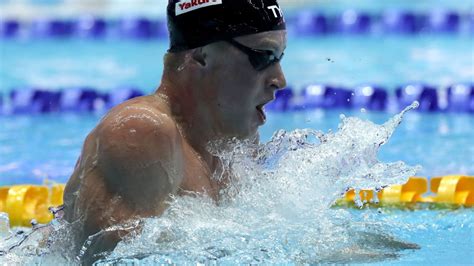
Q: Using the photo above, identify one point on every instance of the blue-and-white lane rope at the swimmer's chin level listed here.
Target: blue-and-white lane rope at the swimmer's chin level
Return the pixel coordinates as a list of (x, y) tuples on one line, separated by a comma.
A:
[(455, 98)]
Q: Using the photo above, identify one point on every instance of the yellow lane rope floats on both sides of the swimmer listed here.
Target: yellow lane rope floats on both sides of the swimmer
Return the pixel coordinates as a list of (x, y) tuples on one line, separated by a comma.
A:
[(23, 203)]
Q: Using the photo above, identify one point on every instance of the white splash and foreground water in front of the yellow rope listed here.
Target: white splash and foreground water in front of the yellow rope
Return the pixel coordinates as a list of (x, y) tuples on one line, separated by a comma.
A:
[(286, 204)]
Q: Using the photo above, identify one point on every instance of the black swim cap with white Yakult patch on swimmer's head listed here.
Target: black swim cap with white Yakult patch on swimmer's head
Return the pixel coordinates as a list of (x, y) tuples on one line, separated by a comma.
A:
[(195, 23)]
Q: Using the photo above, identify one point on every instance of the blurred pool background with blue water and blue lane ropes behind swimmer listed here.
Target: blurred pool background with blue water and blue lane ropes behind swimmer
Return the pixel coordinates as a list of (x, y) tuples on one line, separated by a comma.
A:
[(64, 63)]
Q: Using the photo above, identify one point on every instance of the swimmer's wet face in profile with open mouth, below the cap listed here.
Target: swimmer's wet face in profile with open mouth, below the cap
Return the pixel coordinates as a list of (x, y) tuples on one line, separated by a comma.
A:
[(237, 91)]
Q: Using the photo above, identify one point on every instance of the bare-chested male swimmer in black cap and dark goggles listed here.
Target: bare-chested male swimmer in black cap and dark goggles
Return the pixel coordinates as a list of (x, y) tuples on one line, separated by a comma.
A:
[(222, 67)]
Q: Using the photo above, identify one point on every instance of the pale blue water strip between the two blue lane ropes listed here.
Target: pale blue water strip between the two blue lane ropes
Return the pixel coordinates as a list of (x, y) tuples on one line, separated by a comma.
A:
[(439, 60)]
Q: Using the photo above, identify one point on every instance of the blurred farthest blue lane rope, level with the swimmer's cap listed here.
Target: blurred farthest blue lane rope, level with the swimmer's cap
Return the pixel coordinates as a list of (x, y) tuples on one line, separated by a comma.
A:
[(303, 23)]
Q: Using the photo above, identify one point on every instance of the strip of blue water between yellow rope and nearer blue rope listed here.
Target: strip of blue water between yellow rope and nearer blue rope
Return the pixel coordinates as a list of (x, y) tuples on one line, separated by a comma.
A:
[(46, 146)]
